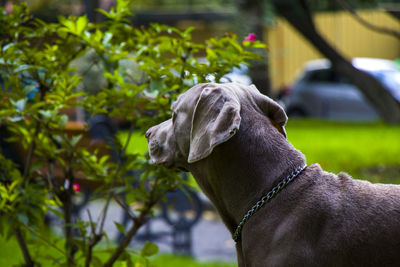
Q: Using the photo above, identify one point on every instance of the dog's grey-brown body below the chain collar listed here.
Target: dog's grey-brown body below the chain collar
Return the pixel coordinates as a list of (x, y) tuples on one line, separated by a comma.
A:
[(327, 220)]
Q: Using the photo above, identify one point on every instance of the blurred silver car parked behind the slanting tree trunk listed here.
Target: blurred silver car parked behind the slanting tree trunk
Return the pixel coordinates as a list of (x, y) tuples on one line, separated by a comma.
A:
[(320, 92)]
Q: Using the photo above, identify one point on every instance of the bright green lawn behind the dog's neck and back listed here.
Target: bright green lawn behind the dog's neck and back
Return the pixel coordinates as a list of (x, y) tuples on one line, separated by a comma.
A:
[(365, 150)]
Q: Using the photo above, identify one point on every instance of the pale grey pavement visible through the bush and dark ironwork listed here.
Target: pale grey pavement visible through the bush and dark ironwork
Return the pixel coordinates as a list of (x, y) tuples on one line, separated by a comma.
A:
[(210, 239)]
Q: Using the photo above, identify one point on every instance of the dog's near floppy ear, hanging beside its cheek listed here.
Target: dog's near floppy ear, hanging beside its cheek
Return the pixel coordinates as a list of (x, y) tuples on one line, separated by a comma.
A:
[(216, 118)]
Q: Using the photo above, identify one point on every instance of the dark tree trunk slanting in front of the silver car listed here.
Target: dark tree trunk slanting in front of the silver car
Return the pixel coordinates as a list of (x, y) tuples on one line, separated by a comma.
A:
[(297, 13)]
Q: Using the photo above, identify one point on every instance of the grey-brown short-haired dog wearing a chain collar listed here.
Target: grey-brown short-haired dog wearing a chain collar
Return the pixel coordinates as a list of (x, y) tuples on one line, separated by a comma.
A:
[(232, 139)]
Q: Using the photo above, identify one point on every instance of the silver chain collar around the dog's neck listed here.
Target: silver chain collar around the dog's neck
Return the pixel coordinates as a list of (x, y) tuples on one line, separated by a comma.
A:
[(266, 198)]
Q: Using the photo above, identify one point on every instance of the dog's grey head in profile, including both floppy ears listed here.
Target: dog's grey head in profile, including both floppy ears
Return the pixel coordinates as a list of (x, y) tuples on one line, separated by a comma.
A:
[(204, 117)]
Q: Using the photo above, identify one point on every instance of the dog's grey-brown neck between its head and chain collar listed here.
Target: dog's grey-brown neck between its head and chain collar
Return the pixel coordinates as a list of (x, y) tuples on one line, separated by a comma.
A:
[(240, 171)]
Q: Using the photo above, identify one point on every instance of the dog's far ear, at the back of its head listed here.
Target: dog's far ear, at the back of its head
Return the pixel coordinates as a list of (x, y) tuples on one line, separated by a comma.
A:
[(272, 110)]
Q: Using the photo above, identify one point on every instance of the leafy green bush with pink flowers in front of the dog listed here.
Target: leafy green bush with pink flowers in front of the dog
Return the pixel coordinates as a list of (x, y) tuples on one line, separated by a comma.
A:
[(143, 71)]
